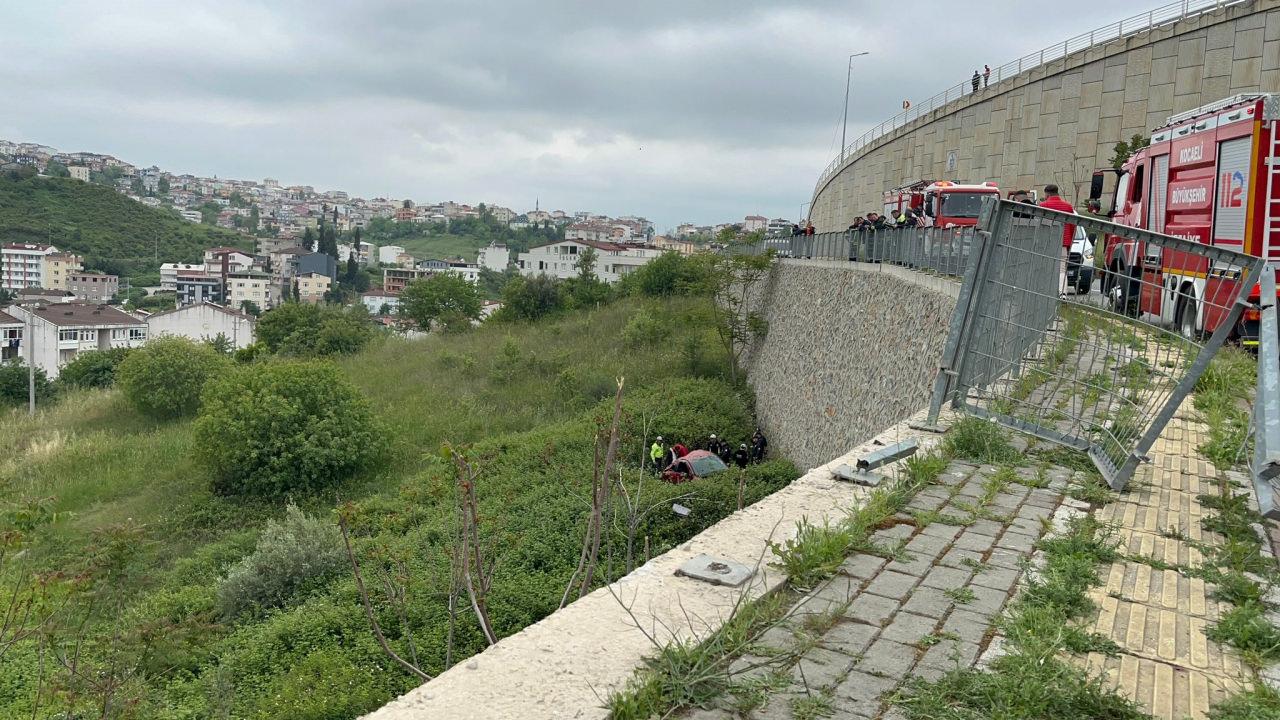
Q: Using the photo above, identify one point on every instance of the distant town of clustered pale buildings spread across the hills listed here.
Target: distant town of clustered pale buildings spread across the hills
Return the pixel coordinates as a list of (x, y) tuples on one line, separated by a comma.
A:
[(52, 298)]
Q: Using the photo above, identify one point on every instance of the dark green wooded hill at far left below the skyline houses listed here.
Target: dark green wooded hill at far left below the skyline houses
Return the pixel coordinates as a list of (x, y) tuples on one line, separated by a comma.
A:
[(112, 233)]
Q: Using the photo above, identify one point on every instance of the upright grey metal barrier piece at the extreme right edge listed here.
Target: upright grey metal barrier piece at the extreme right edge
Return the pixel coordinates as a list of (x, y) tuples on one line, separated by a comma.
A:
[(1267, 407)]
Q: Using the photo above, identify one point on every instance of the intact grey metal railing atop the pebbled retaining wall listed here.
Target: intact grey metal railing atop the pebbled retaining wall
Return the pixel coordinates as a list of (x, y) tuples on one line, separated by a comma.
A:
[(940, 250)]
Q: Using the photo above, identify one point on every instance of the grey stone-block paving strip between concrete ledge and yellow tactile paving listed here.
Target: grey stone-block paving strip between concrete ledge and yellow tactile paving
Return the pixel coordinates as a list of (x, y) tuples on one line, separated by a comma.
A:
[(920, 613)]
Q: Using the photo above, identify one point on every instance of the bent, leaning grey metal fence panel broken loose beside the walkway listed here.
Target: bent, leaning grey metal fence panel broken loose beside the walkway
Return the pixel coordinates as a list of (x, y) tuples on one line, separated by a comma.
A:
[(1100, 375)]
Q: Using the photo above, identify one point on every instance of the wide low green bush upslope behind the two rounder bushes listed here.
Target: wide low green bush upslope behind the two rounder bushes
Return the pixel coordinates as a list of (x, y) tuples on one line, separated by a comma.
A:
[(310, 331)]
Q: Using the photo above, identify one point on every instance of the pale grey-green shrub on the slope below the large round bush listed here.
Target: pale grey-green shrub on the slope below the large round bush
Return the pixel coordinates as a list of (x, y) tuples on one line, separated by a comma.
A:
[(294, 555)]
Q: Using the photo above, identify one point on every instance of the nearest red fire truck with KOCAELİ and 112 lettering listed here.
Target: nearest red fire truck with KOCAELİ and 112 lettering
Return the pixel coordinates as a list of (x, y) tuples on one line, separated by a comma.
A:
[(1209, 176)]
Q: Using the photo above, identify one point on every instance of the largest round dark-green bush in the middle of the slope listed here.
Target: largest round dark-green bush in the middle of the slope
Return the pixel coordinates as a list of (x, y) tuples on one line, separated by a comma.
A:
[(286, 426)]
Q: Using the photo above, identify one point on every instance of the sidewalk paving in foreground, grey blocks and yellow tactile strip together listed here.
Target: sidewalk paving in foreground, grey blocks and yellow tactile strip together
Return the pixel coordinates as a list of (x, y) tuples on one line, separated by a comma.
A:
[(883, 622)]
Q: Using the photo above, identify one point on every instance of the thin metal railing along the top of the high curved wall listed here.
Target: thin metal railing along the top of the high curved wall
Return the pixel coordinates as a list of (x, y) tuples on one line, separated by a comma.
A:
[(1159, 17)]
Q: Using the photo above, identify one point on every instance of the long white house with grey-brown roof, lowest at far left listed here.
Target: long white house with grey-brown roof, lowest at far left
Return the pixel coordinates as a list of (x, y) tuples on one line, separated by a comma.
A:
[(62, 332)]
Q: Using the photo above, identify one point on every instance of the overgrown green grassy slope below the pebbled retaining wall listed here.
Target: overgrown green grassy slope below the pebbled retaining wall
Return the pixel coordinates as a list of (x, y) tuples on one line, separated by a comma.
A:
[(528, 399)]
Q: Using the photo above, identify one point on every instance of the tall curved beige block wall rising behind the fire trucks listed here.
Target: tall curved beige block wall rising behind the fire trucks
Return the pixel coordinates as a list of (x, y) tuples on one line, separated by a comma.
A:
[(1060, 122)]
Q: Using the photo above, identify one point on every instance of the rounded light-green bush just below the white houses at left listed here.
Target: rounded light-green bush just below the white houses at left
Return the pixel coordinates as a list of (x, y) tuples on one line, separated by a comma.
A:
[(164, 379)]
